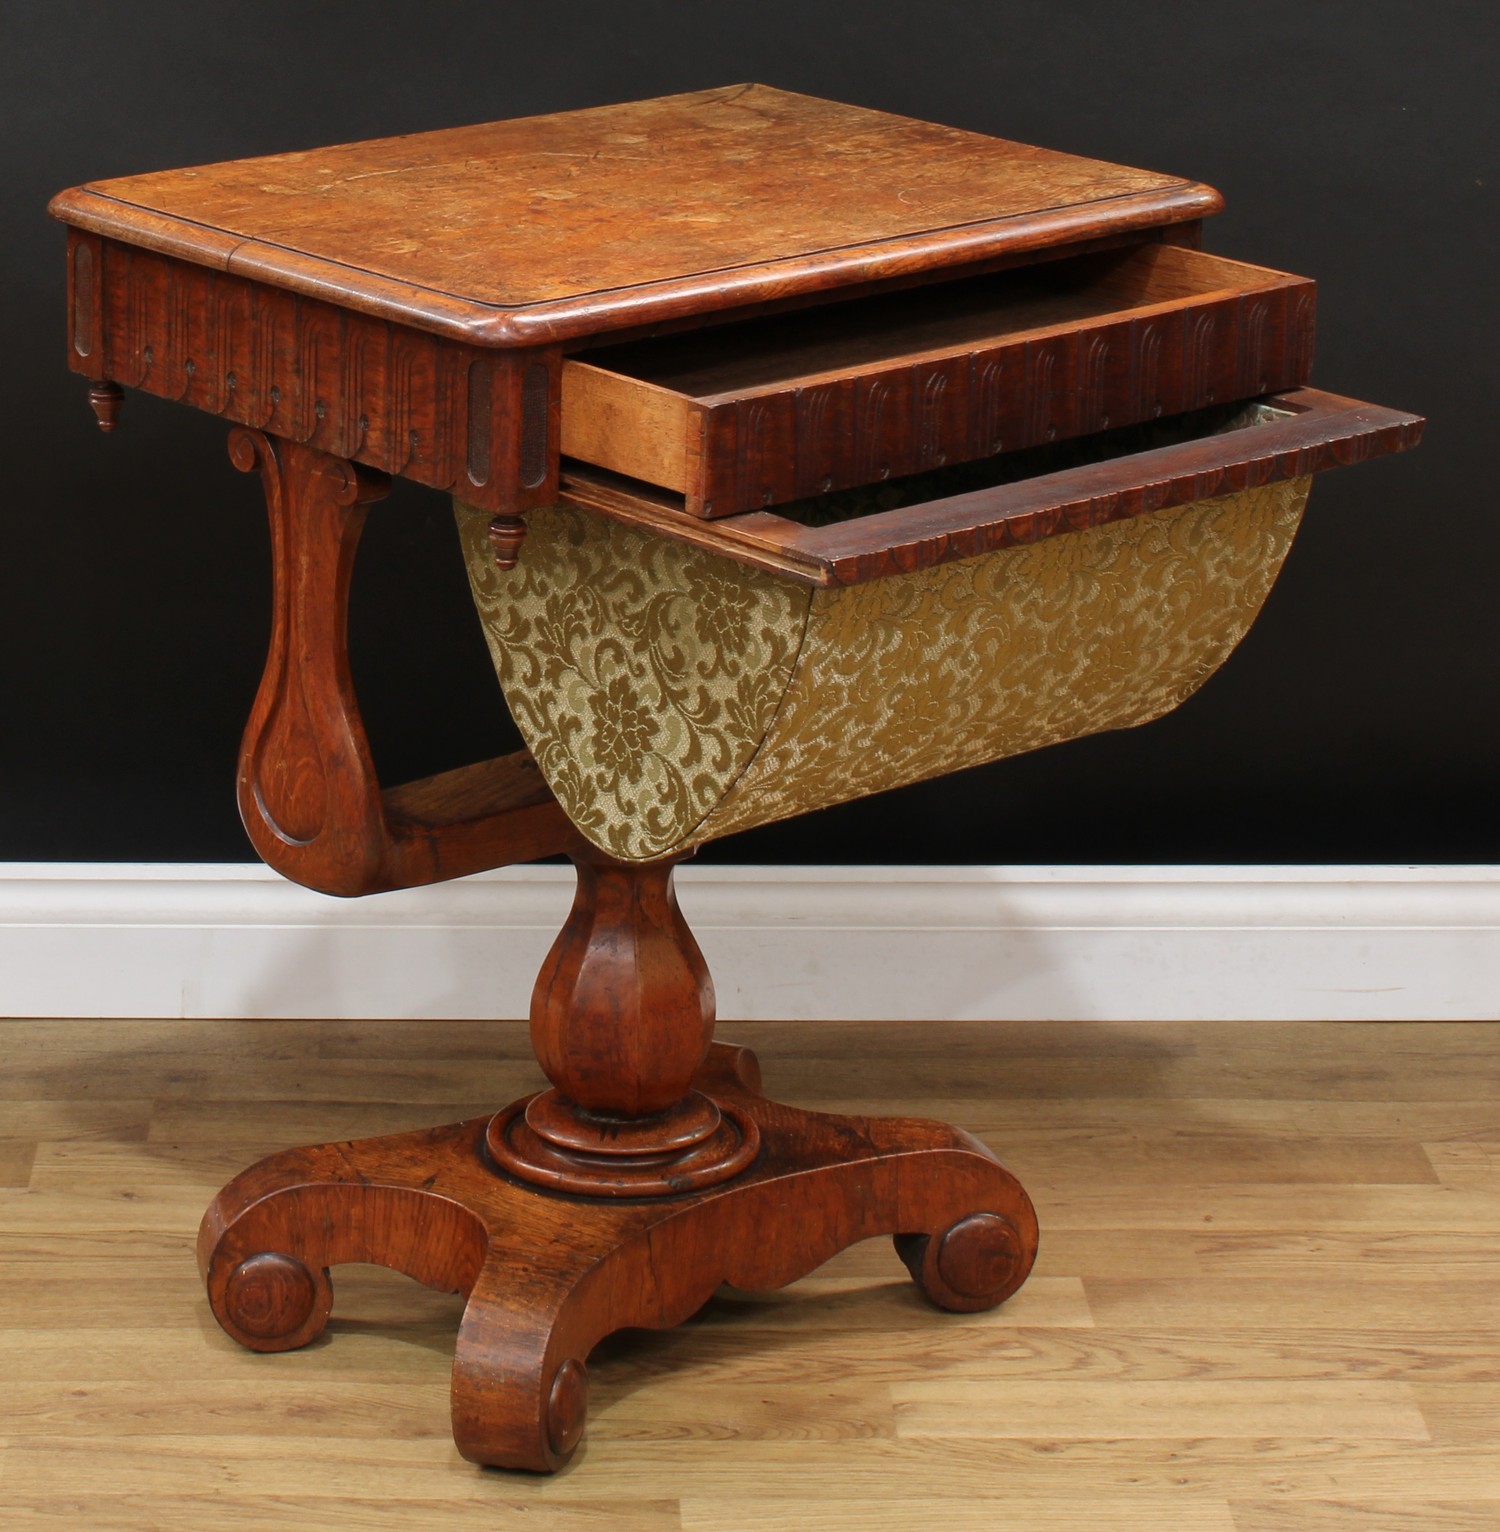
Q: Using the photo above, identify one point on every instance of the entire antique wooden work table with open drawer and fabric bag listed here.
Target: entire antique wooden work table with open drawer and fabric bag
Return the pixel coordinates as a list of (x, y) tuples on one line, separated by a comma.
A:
[(799, 453)]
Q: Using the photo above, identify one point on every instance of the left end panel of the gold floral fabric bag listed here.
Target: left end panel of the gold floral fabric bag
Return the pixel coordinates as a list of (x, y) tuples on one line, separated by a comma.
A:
[(641, 673)]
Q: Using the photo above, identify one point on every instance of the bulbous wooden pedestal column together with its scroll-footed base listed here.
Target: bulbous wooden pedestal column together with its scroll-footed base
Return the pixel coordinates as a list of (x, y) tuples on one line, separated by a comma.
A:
[(474, 1208)]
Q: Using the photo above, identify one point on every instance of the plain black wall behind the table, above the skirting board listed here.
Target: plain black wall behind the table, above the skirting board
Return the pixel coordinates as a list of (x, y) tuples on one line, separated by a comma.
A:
[(1355, 142)]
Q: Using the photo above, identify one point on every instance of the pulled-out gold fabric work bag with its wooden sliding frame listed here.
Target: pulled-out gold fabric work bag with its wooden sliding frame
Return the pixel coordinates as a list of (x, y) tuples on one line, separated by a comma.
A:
[(678, 679)]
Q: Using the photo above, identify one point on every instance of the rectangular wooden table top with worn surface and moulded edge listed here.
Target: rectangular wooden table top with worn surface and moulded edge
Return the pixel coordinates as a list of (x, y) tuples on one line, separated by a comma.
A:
[(552, 228)]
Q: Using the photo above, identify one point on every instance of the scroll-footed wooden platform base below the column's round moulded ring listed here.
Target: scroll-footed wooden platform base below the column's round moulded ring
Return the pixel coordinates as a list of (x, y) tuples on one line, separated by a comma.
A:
[(548, 1274)]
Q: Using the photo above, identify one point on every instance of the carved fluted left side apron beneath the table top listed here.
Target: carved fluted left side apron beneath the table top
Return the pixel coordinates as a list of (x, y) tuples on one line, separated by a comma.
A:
[(384, 394)]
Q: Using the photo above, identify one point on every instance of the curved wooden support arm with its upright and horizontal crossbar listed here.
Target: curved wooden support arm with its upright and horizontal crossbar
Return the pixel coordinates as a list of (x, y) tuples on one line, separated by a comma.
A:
[(309, 791)]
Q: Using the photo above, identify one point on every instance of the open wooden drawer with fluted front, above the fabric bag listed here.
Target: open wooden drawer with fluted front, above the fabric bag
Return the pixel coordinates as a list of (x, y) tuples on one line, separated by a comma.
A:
[(770, 411)]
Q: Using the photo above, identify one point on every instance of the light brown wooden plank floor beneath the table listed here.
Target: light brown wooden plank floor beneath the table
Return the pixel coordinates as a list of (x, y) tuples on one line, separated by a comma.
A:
[(1268, 1298)]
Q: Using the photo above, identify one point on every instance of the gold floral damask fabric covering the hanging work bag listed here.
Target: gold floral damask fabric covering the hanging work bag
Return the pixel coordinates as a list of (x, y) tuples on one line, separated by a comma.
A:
[(672, 696)]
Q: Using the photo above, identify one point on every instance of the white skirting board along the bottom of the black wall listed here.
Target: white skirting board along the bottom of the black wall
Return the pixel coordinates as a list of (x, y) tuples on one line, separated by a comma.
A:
[(784, 943)]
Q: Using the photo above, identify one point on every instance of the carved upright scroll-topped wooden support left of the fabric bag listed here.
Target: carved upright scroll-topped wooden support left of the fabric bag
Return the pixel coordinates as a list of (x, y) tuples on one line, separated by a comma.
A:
[(309, 791)]
